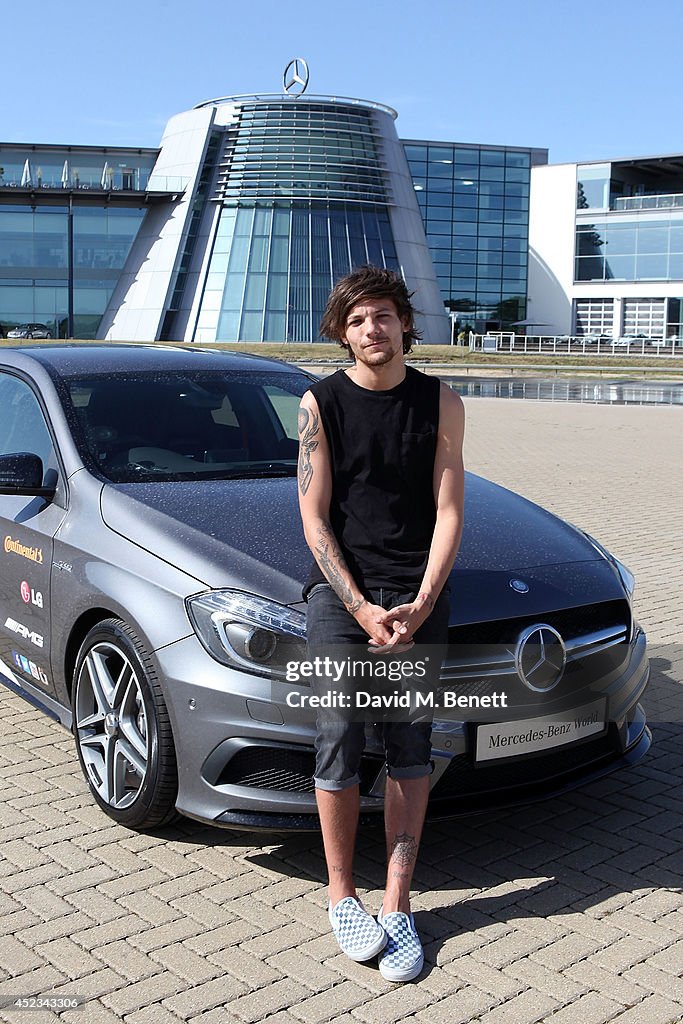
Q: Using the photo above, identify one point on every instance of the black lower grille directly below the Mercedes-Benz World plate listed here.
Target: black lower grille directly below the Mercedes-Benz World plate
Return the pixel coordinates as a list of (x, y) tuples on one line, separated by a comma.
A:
[(464, 778)]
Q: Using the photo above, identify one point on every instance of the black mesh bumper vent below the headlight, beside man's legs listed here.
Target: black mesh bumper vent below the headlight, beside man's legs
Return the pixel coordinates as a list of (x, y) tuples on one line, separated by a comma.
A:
[(286, 770)]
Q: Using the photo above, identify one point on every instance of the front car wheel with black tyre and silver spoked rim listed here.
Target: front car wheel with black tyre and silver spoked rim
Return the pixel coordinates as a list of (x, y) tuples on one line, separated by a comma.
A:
[(122, 729)]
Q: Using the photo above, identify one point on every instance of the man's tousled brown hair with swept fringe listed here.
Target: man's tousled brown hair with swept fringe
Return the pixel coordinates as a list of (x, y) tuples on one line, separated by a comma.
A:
[(368, 283)]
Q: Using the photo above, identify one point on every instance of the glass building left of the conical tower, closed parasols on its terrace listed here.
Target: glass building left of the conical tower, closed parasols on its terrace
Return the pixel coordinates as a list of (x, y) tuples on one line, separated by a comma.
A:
[(68, 219)]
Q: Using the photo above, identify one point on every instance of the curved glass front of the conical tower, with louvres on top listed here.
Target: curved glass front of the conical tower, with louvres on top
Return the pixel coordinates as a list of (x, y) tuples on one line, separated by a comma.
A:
[(304, 200)]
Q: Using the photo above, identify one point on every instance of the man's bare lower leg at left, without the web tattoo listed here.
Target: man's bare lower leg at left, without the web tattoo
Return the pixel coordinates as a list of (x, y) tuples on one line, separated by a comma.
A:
[(339, 821)]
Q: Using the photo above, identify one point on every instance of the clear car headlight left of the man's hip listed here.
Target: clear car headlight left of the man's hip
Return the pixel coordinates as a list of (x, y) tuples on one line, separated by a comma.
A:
[(247, 632)]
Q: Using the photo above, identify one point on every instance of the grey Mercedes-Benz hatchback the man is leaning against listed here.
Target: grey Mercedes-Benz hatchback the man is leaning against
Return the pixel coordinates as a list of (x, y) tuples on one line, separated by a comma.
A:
[(152, 561)]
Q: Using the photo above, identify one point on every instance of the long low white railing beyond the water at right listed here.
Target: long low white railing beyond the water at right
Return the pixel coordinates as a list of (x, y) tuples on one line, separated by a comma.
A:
[(565, 346)]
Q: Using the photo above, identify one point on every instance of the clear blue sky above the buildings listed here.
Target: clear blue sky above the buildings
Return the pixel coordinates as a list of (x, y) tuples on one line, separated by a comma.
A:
[(587, 81)]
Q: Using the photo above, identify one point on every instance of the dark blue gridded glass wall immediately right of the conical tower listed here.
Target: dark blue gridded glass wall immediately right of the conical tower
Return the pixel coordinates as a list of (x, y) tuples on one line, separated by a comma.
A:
[(475, 203)]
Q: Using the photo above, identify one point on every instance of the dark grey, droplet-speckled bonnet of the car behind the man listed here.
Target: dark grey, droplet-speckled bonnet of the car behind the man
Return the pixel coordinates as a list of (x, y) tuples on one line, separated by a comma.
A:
[(247, 534)]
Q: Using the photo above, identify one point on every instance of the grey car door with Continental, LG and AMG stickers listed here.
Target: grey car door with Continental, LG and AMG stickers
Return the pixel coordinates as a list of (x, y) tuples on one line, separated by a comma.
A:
[(27, 528)]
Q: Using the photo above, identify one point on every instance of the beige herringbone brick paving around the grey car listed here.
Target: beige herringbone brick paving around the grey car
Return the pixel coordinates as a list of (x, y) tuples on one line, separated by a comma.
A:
[(567, 913)]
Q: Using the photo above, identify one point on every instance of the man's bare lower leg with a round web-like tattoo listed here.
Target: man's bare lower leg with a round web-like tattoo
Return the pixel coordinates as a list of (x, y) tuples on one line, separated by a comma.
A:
[(405, 806)]
